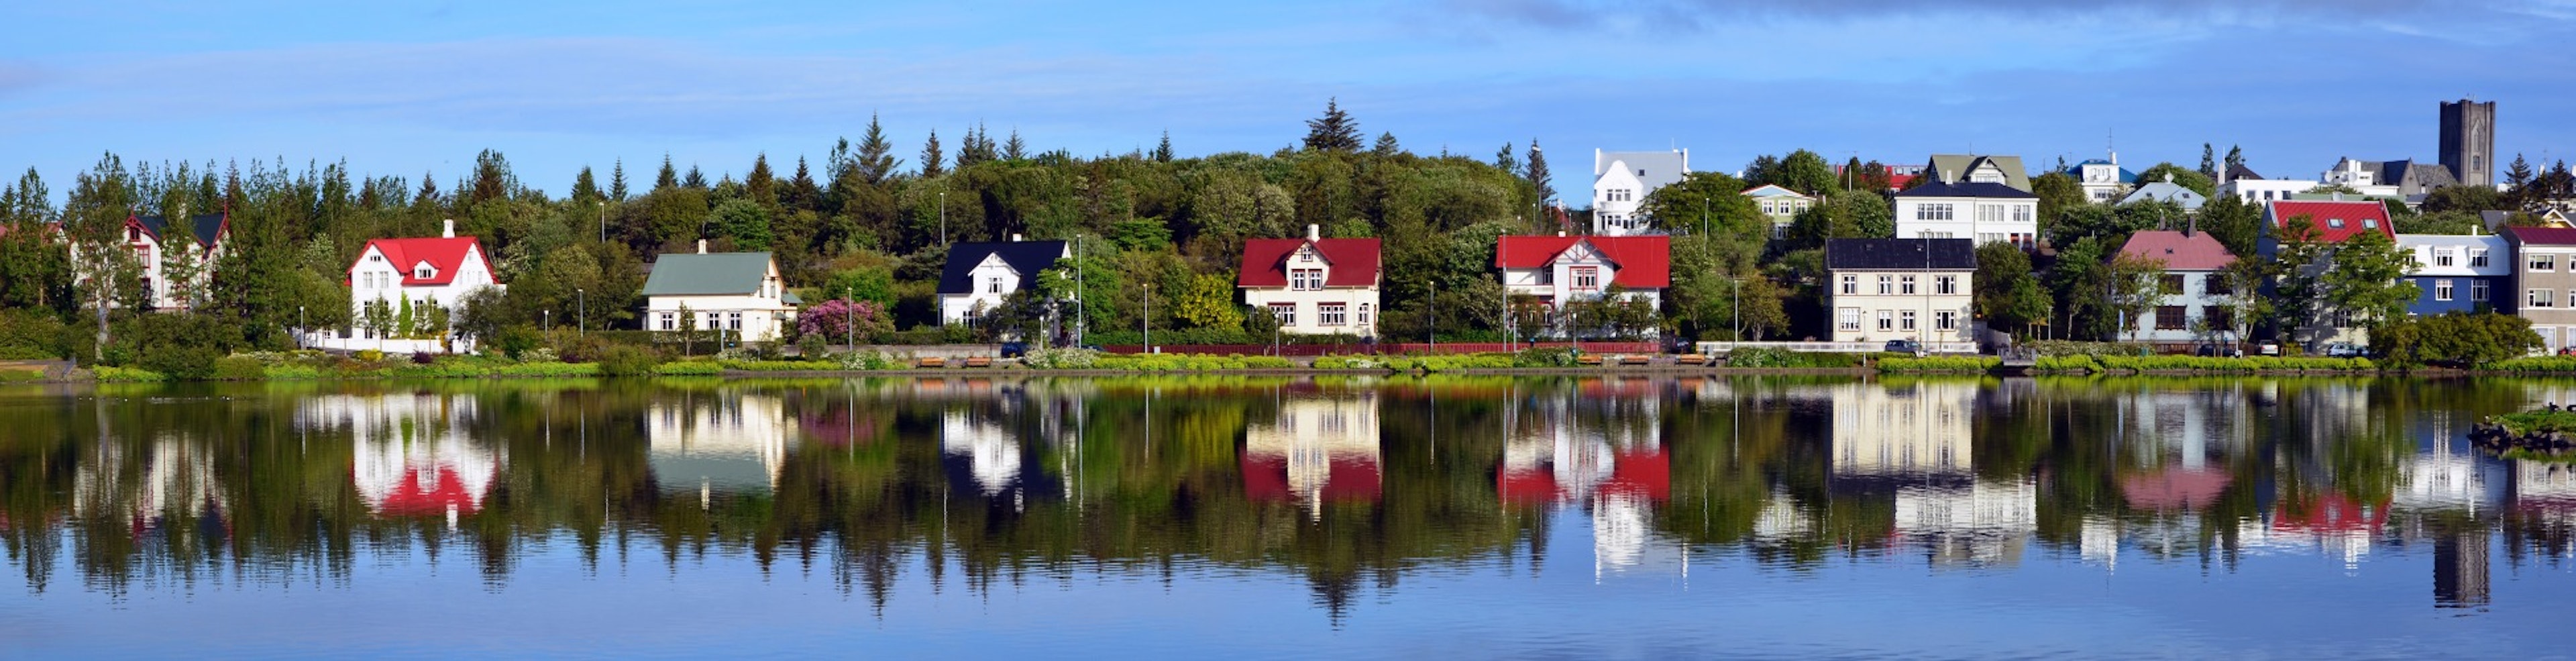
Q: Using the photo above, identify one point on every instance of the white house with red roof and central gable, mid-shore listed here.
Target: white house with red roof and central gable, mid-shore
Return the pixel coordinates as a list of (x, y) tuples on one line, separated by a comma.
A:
[(1315, 287)]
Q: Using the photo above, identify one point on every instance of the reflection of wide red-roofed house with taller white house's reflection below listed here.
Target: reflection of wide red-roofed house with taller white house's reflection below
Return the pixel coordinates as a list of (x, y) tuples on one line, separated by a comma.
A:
[(1601, 446)]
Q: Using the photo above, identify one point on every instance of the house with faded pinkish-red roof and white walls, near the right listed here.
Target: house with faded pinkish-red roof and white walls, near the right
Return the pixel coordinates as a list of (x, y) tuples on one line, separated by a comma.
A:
[(2193, 297)]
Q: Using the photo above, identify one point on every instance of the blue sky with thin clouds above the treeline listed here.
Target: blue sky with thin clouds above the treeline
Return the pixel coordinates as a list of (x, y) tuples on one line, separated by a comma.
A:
[(411, 89)]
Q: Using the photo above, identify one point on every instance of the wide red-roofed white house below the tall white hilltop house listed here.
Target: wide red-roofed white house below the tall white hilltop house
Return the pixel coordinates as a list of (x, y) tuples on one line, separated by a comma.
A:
[(1573, 269)]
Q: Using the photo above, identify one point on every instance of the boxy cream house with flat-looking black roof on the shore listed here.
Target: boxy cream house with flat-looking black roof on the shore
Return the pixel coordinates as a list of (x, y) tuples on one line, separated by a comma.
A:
[(1900, 289)]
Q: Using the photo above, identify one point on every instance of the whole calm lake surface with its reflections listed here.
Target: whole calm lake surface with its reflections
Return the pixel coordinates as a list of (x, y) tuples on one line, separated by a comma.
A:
[(1282, 518)]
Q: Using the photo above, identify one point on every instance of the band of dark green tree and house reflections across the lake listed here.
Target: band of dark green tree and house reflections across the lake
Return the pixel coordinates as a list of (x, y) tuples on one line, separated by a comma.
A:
[(1343, 482)]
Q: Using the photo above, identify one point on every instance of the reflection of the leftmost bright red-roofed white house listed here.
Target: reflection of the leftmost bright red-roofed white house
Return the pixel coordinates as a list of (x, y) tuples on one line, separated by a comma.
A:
[(413, 457)]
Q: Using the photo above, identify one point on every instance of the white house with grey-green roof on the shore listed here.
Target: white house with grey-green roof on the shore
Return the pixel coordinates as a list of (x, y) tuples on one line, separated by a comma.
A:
[(733, 292)]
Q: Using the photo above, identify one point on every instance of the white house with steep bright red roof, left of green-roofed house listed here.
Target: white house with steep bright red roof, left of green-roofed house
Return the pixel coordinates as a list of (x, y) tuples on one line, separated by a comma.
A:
[(413, 274)]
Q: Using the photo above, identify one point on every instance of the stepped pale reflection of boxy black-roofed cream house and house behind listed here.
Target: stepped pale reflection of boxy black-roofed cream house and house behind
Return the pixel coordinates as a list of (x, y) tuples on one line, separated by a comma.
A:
[(1915, 444)]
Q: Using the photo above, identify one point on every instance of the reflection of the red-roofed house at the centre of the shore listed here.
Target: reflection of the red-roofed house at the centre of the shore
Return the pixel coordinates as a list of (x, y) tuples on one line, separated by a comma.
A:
[(1312, 451)]
